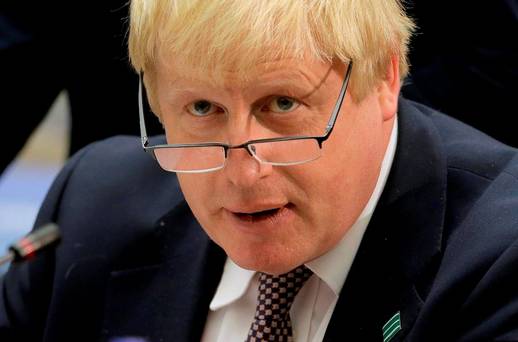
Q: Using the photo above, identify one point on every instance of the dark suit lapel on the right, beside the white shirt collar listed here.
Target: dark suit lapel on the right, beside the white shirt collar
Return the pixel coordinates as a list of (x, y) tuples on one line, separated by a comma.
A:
[(401, 248)]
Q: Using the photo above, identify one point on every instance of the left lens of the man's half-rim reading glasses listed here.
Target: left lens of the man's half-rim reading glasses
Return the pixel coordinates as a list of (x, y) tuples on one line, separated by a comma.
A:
[(190, 159)]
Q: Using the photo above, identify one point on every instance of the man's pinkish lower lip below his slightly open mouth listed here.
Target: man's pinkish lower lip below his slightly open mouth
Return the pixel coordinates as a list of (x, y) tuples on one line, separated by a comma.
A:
[(260, 224)]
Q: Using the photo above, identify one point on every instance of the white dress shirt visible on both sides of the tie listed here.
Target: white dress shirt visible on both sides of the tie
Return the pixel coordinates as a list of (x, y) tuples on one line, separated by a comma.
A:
[(233, 307)]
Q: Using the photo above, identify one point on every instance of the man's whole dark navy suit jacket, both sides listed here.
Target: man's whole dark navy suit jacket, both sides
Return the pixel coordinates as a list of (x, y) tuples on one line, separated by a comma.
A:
[(441, 248)]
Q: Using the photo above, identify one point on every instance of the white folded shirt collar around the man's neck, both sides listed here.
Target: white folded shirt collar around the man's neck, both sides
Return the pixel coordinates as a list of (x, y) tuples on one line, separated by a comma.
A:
[(332, 267)]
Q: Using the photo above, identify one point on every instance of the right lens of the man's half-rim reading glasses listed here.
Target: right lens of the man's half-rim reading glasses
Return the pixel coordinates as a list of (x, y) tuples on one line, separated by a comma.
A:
[(287, 152)]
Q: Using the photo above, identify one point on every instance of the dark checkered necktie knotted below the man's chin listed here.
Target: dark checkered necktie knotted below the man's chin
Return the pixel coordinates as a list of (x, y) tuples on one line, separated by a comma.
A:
[(276, 294)]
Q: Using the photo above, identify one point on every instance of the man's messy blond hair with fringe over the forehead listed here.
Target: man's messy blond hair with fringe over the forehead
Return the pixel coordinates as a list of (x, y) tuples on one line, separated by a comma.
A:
[(215, 36)]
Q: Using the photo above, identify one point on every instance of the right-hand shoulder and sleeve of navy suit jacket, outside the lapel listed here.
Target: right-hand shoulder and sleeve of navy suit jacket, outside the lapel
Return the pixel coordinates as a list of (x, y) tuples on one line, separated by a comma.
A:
[(475, 280)]
